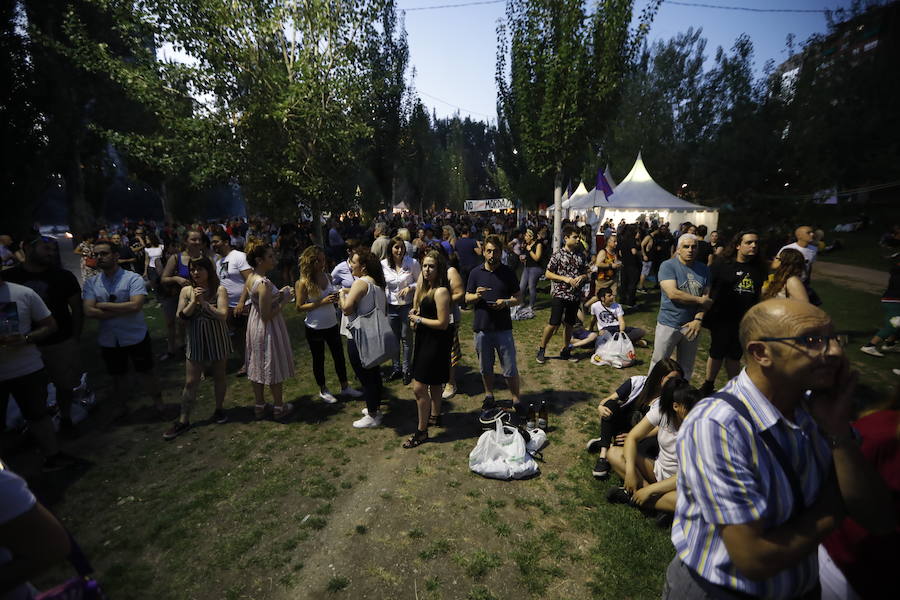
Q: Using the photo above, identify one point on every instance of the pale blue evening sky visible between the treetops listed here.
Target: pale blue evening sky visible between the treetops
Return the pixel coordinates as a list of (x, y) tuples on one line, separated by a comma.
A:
[(453, 50)]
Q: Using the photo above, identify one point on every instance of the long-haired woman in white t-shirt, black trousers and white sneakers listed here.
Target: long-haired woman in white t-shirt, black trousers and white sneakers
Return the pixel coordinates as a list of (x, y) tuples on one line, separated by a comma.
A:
[(317, 297)]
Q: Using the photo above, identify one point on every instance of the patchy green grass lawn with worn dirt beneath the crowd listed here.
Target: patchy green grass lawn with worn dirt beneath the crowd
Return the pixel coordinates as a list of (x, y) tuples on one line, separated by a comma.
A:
[(313, 508)]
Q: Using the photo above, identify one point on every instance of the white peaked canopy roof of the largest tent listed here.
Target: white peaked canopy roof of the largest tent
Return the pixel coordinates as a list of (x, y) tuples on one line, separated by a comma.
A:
[(639, 195)]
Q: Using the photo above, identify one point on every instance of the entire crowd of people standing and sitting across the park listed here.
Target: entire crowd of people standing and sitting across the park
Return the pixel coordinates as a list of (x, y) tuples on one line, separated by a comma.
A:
[(751, 479)]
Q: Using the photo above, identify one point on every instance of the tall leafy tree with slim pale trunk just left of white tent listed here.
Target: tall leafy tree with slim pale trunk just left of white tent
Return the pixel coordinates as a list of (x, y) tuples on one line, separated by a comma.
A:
[(556, 65)]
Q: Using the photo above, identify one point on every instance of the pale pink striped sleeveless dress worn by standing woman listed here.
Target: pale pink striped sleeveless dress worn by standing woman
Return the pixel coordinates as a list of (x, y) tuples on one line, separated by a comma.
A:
[(269, 356)]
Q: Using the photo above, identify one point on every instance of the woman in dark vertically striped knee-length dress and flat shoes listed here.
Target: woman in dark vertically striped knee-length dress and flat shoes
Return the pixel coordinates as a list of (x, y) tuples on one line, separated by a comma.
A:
[(203, 306)]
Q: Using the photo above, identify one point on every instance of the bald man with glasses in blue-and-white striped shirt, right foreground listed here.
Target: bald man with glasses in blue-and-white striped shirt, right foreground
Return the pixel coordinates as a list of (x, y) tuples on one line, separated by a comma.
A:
[(764, 474)]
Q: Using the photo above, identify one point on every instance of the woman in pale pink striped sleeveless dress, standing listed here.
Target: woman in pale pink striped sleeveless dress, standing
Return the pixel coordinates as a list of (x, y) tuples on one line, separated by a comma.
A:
[(269, 357)]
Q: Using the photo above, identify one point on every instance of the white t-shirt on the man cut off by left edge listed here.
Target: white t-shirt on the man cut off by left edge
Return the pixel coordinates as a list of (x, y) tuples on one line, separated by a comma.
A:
[(20, 307)]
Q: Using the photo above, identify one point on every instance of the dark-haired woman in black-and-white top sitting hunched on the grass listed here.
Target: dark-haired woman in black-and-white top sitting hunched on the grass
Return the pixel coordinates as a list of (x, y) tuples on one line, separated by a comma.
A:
[(624, 408)]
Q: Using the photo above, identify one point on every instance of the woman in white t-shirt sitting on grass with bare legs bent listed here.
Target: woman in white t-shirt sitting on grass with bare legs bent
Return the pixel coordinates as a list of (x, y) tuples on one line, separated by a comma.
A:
[(651, 483)]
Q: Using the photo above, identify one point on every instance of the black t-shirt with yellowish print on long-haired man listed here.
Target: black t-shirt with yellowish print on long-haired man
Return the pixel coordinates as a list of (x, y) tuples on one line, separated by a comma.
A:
[(734, 288)]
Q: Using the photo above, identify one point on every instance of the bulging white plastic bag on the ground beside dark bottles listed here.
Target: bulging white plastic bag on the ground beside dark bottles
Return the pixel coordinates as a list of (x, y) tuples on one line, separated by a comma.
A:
[(501, 454)]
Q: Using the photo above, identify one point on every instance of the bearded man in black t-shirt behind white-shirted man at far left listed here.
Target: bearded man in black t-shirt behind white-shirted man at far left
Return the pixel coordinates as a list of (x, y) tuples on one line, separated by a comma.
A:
[(59, 290)]
